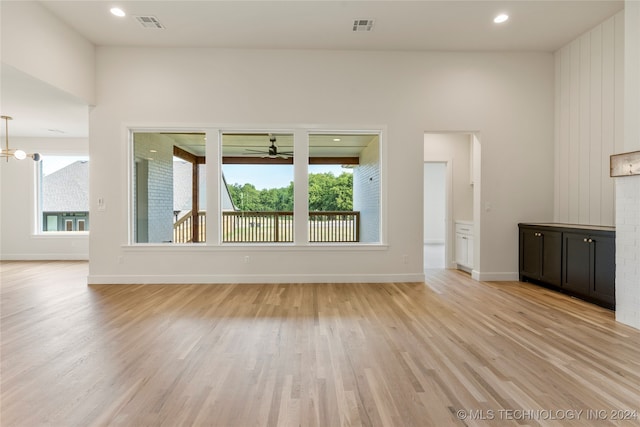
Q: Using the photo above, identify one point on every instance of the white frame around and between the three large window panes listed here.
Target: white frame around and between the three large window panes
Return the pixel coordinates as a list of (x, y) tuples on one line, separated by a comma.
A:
[(213, 149)]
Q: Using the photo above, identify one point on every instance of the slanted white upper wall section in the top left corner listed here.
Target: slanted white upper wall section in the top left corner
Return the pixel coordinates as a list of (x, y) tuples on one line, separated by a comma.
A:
[(37, 43)]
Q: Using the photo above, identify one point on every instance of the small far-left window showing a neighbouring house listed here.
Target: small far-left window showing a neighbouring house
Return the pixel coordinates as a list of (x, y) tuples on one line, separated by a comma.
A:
[(64, 194)]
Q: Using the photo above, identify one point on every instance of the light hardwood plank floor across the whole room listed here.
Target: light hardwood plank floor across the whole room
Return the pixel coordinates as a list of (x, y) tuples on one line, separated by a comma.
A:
[(449, 352)]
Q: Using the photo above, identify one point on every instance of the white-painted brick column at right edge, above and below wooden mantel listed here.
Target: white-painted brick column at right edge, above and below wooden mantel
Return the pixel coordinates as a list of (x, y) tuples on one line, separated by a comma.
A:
[(628, 188)]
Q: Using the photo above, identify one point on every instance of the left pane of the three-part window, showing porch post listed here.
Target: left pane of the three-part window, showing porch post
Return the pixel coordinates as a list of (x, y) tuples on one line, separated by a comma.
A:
[(169, 181)]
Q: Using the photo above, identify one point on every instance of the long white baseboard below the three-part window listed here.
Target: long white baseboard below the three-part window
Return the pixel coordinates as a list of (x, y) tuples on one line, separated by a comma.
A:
[(96, 279)]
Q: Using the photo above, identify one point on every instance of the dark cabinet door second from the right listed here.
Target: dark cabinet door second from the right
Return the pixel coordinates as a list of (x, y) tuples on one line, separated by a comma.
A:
[(576, 263)]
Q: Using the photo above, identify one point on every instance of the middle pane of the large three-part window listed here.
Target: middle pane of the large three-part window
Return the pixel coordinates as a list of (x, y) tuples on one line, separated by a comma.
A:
[(257, 187)]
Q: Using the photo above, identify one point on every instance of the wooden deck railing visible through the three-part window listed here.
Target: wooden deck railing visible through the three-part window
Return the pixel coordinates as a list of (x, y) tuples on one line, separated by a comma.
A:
[(270, 227)]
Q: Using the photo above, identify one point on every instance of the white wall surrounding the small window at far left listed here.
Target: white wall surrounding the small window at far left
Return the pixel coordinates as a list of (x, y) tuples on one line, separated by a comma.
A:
[(18, 208)]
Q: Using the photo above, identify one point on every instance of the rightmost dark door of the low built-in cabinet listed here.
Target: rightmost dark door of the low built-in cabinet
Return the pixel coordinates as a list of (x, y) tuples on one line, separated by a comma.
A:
[(604, 269)]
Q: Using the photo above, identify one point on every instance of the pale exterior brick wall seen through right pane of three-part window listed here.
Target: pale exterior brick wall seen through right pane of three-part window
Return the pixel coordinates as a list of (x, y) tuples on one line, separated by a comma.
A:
[(366, 192)]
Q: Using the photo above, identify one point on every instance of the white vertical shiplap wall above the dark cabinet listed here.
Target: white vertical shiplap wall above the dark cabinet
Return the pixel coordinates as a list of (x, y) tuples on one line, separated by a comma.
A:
[(589, 123)]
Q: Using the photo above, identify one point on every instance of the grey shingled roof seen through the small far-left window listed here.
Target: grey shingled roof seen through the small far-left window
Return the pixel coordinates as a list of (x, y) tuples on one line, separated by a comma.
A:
[(67, 189)]
